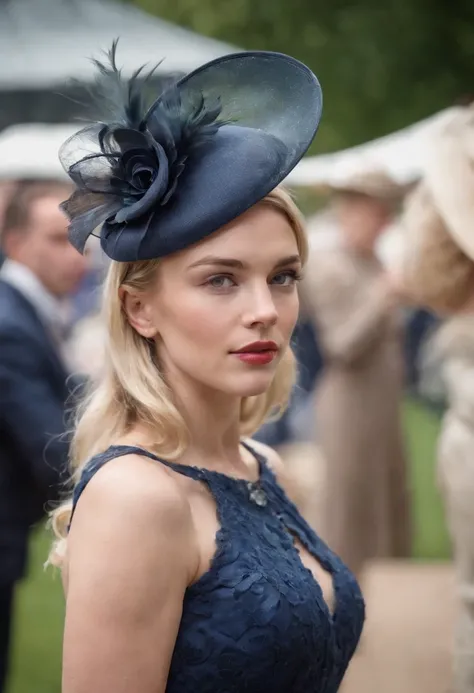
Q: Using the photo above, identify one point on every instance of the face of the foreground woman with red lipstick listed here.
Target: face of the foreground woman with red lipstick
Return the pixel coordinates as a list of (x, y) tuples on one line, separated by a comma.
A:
[(224, 310)]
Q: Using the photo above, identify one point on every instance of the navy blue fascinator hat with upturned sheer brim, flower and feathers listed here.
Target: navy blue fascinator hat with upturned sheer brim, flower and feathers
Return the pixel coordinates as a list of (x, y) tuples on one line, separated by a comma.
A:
[(156, 180)]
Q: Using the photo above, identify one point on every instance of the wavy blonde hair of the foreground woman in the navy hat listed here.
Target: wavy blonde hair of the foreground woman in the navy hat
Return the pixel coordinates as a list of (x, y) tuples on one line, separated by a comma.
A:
[(131, 389)]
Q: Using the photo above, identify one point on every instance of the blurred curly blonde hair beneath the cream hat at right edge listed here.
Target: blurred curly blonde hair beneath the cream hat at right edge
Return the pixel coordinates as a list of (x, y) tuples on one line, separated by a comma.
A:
[(437, 273)]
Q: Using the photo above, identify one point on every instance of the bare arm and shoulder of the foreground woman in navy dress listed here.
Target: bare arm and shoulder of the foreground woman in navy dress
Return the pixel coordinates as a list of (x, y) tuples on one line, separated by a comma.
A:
[(131, 554)]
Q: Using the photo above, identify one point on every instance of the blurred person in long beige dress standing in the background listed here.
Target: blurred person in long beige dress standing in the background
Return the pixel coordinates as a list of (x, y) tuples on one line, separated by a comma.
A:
[(357, 404)]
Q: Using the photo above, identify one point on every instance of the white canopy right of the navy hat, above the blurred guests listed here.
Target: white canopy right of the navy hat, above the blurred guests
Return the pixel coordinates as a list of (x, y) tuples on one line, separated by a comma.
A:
[(400, 156)]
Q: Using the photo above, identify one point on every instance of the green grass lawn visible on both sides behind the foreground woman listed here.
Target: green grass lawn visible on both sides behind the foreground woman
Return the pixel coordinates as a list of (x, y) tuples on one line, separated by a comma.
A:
[(40, 604)]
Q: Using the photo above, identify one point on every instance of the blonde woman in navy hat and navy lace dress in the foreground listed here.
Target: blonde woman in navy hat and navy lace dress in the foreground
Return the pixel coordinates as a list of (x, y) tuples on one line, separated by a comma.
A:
[(186, 566)]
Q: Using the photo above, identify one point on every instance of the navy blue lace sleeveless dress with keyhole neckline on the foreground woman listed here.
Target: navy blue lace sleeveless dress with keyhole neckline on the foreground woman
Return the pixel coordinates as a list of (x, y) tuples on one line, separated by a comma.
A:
[(257, 620)]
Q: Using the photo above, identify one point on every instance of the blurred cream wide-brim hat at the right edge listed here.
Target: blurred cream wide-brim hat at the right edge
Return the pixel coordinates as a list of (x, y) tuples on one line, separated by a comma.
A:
[(449, 179)]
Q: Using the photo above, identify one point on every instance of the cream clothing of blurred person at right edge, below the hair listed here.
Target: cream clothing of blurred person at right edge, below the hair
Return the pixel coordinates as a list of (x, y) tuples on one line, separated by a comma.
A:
[(454, 348)]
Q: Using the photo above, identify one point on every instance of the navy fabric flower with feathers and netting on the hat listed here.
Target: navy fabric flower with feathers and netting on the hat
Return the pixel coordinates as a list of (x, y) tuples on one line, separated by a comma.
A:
[(132, 164)]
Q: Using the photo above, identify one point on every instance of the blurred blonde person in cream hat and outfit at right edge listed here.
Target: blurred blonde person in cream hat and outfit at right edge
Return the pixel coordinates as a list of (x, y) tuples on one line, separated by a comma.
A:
[(439, 273)]
